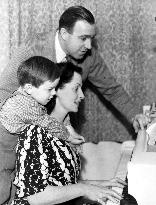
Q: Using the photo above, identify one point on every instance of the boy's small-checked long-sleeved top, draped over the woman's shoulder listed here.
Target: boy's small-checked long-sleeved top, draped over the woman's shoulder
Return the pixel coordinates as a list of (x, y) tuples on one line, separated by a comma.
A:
[(22, 110)]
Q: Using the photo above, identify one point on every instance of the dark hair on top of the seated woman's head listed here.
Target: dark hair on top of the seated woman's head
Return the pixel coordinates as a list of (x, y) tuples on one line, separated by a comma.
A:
[(68, 73)]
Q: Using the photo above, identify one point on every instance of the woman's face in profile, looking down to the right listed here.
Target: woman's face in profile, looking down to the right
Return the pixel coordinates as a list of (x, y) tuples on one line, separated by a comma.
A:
[(69, 97)]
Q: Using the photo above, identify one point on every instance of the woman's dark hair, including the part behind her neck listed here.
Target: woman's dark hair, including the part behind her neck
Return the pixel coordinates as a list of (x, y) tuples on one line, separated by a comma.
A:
[(68, 70)]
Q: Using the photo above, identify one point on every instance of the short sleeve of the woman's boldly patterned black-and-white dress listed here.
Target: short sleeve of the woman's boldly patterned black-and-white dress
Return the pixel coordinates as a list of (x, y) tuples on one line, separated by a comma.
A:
[(31, 164)]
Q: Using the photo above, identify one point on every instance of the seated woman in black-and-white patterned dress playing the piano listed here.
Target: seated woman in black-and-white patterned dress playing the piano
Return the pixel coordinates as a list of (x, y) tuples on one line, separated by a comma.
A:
[(47, 167)]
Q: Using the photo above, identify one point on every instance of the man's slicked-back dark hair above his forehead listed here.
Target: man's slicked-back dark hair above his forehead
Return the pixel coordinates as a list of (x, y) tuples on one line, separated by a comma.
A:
[(74, 14)]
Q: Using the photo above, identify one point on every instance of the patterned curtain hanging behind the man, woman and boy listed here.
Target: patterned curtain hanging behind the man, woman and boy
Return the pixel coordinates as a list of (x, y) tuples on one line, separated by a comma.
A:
[(127, 39)]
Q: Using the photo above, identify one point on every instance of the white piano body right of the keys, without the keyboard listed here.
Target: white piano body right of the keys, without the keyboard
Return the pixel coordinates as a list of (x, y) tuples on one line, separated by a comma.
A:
[(142, 169)]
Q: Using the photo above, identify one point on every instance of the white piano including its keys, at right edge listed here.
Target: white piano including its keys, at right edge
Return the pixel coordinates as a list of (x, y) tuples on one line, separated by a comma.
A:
[(138, 166)]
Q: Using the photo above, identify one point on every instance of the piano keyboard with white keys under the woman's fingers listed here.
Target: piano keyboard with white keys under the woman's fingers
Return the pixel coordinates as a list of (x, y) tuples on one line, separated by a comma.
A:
[(121, 171)]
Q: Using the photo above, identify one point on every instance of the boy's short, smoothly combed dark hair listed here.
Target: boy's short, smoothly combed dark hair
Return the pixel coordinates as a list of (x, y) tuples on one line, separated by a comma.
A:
[(36, 70)]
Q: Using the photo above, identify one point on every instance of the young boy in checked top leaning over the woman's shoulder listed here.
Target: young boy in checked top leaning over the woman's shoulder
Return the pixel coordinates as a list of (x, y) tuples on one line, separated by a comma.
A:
[(37, 78)]
